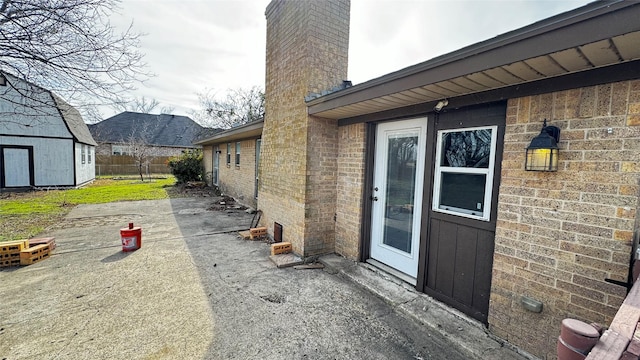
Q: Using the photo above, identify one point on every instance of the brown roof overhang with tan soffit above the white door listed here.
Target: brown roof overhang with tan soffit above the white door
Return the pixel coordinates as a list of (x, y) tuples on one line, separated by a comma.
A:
[(591, 39)]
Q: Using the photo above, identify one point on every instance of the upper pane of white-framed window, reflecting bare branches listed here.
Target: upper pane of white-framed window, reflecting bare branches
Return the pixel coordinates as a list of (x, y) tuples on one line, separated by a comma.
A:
[(471, 149)]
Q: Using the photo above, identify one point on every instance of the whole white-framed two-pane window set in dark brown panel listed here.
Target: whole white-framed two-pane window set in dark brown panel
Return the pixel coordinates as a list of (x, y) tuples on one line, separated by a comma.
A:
[(463, 180)]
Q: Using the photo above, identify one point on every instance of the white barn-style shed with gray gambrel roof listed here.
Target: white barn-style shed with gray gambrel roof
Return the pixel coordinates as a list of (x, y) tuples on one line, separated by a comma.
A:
[(43, 140)]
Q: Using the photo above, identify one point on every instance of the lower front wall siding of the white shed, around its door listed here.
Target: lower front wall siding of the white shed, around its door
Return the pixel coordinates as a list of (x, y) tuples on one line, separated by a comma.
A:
[(53, 159)]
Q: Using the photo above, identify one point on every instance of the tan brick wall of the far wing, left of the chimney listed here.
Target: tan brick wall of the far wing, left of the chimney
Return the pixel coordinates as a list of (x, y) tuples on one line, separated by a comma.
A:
[(239, 181)]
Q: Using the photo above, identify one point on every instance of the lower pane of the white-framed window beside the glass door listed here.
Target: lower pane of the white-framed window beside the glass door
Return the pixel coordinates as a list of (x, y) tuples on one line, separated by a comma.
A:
[(463, 193)]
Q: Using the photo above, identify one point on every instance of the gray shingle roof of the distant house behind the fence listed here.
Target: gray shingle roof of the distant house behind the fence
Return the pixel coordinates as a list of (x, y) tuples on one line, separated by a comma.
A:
[(160, 130)]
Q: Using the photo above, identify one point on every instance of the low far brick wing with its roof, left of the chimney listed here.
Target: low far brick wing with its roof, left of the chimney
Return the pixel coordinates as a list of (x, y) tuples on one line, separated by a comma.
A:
[(231, 159)]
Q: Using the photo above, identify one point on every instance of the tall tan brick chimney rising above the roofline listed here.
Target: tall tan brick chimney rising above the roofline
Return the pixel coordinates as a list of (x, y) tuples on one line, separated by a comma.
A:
[(307, 47)]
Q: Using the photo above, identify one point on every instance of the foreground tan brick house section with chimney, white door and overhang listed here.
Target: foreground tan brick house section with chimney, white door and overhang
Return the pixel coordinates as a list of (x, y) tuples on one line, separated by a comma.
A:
[(421, 172)]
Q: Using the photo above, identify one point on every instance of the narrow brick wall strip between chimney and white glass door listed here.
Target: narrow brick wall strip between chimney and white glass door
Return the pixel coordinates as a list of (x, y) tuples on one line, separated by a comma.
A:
[(351, 162)]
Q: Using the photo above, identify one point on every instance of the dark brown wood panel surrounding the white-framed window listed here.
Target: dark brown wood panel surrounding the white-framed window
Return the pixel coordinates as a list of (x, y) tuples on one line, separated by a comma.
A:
[(459, 256)]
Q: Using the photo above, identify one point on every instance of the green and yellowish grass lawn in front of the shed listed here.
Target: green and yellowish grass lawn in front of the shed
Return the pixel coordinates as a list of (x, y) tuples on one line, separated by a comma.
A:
[(24, 215)]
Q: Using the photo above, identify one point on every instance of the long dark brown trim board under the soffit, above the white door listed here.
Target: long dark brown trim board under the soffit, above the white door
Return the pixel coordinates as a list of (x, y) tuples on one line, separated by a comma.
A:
[(622, 72)]
